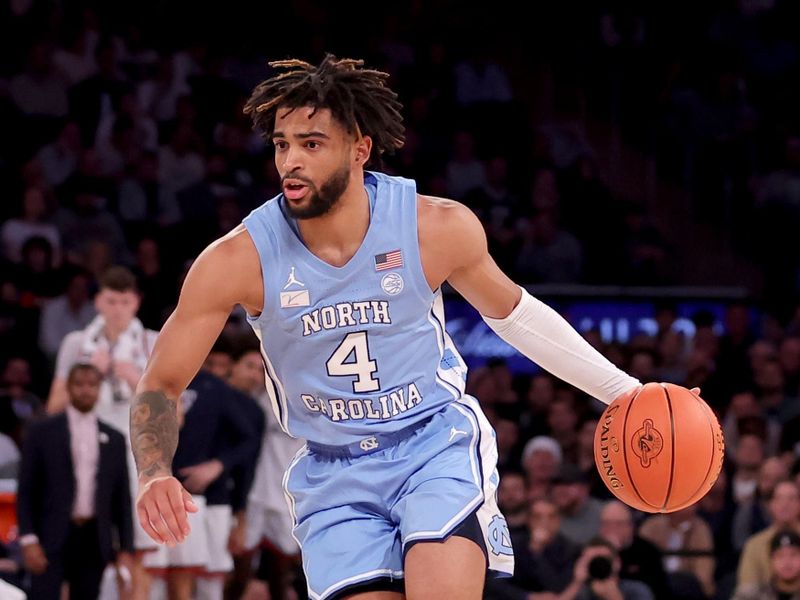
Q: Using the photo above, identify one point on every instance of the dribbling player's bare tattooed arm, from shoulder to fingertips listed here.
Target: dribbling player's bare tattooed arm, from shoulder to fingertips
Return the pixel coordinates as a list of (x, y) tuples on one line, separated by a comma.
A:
[(227, 273)]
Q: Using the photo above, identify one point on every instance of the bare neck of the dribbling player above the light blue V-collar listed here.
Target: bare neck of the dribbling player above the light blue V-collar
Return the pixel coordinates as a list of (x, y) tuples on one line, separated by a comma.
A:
[(337, 235)]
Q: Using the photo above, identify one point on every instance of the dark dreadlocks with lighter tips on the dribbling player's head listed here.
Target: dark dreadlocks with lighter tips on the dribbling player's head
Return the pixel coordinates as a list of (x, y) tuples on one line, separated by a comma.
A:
[(358, 98)]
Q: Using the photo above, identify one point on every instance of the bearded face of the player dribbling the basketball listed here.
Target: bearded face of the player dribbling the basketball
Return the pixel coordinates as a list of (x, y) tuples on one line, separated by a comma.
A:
[(314, 156)]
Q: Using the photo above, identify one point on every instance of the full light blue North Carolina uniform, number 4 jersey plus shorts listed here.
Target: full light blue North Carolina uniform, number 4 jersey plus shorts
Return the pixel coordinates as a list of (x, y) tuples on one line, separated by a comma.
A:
[(359, 364)]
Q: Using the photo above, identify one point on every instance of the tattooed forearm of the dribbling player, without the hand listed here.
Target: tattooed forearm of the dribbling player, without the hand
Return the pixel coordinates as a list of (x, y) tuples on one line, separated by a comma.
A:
[(154, 433)]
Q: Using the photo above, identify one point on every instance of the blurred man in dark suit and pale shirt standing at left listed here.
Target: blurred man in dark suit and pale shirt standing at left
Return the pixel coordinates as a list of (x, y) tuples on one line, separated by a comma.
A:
[(73, 501)]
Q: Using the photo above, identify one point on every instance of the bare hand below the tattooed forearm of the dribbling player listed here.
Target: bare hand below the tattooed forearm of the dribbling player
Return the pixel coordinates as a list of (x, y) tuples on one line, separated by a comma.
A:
[(162, 507)]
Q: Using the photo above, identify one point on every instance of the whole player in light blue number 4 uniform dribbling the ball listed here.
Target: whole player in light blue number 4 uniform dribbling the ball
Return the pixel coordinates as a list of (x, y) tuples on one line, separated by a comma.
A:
[(394, 493)]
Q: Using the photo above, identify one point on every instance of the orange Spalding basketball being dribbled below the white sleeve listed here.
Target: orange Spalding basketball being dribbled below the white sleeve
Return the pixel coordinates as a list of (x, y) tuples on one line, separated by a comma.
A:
[(661, 450)]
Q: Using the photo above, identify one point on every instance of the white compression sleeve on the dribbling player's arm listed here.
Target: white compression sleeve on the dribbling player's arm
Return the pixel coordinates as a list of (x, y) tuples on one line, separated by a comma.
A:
[(545, 337)]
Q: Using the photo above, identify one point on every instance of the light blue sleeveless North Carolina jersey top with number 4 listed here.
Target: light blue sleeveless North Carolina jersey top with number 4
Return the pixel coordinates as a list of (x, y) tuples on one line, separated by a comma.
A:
[(358, 350)]
